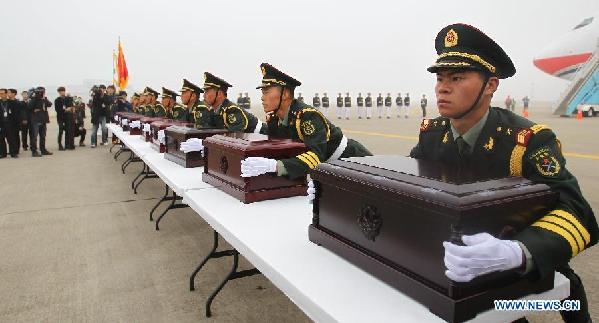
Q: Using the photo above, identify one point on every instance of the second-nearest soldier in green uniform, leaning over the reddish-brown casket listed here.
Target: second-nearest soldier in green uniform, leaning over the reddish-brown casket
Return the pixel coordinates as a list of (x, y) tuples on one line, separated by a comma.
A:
[(289, 118)]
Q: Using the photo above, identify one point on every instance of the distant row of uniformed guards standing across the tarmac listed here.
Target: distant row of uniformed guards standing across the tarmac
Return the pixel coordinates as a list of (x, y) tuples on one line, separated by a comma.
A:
[(365, 105)]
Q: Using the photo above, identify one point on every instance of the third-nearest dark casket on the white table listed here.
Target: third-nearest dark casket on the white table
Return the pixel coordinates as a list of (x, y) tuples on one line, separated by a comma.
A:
[(175, 135)]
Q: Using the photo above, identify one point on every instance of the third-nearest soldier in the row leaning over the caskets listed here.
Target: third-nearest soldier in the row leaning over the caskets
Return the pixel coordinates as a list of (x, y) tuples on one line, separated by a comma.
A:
[(224, 113)]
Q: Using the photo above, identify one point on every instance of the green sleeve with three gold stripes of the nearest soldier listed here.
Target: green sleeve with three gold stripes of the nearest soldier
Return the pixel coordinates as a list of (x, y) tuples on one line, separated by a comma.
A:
[(571, 226)]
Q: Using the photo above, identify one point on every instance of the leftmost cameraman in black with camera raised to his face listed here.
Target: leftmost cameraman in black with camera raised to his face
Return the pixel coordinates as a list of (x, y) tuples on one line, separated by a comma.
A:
[(38, 109)]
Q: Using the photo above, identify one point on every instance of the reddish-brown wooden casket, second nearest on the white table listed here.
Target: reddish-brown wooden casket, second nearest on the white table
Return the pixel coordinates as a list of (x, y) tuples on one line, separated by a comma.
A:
[(223, 155)]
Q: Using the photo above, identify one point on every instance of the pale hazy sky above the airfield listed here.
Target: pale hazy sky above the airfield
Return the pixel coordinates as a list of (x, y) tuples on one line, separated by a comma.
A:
[(332, 46)]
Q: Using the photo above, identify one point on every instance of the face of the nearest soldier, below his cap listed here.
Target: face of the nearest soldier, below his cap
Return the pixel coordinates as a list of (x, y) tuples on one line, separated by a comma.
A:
[(456, 91)]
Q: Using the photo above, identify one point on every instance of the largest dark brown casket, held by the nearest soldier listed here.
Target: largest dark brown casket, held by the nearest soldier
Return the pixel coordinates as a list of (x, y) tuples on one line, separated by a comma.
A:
[(397, 211)]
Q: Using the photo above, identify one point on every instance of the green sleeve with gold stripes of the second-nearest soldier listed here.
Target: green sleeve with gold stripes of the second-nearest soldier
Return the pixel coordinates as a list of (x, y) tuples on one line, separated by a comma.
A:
[(314, 132)]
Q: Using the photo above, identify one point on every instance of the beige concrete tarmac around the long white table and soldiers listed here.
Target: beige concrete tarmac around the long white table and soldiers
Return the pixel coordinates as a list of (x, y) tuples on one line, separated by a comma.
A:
[(77, 244)]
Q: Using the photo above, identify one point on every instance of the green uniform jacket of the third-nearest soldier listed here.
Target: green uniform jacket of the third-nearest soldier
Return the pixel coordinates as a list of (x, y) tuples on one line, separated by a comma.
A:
[(234, 118)]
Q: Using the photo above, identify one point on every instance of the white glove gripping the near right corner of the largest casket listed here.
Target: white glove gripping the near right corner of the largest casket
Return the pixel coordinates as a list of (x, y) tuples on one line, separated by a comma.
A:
[(482, 254)]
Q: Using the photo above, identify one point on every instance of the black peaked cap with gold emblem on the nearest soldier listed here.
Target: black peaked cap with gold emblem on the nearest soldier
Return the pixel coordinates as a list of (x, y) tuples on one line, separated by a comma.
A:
[(465, 47)]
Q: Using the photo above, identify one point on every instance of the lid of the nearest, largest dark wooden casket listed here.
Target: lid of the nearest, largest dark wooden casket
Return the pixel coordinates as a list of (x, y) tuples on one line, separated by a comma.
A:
[(426, 180)]
